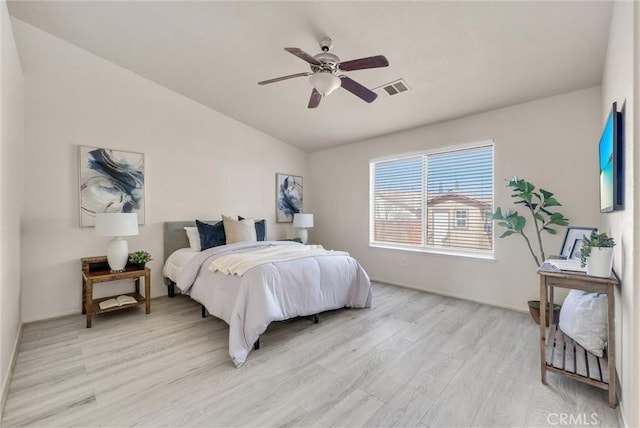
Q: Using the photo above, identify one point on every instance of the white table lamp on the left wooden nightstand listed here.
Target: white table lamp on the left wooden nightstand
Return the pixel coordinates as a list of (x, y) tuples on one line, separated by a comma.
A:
[(117, 225)]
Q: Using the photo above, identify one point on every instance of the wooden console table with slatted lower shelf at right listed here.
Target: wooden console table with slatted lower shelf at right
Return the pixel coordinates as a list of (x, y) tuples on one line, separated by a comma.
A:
[(558, 353)]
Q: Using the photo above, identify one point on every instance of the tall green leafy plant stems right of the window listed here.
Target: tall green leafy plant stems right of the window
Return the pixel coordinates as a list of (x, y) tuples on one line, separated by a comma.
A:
[(539, 204)]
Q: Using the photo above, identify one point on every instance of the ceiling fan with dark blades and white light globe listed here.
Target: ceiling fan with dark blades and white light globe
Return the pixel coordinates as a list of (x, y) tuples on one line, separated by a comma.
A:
[(324, 69)]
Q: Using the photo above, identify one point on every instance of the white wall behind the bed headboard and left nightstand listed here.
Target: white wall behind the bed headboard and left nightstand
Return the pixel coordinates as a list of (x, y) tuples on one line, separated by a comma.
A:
[(199, 164)]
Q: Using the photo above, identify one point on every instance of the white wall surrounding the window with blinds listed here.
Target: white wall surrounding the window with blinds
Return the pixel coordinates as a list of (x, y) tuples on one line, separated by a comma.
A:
[(550, 142)]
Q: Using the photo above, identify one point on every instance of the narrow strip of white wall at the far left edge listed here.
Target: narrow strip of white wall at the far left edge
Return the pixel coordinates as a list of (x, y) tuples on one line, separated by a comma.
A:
[(11, 146)]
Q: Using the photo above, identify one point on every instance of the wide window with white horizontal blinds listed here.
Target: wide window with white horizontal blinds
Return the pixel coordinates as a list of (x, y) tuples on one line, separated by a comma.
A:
[(434, 201)]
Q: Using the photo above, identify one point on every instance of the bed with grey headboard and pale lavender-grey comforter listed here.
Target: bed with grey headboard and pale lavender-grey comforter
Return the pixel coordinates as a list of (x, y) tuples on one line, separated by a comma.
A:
[(263, 281)]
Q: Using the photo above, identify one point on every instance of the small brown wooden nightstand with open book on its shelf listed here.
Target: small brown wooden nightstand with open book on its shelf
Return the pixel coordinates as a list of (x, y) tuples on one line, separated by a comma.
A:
[(95, 270)]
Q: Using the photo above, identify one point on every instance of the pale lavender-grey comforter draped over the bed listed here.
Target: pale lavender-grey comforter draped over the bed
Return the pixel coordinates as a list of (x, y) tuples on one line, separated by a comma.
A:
[(273, 291)]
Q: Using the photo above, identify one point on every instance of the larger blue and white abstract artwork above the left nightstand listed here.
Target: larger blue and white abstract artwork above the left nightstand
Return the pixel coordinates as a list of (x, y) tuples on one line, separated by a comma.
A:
[(111, 181)]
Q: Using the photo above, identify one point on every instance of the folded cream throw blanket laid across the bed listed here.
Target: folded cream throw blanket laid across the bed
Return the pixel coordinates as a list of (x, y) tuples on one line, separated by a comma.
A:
[(239, 263)]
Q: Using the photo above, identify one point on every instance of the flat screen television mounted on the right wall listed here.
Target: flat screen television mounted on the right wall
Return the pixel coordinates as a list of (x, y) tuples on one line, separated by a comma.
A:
[(611, 163)]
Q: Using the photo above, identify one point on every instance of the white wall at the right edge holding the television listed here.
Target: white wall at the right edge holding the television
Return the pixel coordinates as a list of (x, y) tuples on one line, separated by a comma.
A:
[(618, 86)]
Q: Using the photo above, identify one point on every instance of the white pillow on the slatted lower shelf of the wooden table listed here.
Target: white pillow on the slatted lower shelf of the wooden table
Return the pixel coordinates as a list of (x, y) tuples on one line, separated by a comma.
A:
[(583, 318)]
